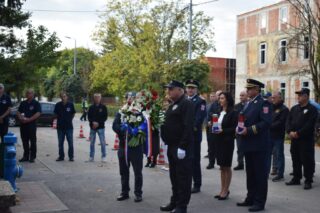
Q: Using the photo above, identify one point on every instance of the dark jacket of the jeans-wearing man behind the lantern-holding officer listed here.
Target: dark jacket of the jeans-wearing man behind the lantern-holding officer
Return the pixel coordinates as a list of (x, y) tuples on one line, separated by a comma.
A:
[(279, 117)]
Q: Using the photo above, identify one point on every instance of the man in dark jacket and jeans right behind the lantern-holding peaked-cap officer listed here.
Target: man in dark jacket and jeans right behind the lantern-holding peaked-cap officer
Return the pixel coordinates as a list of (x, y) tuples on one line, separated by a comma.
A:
[(277, 132)]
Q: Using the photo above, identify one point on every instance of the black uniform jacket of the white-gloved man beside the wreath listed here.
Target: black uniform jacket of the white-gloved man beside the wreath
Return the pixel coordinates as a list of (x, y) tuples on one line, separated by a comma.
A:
[(177, 130)]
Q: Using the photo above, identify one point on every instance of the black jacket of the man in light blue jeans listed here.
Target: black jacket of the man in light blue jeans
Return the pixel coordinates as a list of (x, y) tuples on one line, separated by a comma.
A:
[(98, 113)]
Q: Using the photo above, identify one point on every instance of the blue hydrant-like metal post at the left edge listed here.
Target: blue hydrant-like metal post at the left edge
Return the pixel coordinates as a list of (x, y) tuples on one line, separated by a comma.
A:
[(11, 169)]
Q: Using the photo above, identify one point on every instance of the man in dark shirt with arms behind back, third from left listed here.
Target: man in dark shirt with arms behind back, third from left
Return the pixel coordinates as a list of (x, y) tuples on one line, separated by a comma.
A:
[(65, 112)]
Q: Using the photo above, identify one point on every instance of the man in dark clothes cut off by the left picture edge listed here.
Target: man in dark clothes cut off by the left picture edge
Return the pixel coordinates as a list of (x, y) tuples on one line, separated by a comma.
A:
[(5, 108)]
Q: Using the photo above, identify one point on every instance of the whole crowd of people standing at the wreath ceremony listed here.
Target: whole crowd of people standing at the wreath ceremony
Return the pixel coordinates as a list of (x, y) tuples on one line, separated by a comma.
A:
[(257, 125)]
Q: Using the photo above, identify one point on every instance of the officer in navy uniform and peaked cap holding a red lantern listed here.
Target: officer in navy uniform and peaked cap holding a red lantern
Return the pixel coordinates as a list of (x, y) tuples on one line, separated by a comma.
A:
[(255, 137)]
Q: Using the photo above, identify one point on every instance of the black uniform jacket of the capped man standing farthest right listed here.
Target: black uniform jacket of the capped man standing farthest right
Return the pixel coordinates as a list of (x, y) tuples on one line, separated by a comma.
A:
[(302, 120)]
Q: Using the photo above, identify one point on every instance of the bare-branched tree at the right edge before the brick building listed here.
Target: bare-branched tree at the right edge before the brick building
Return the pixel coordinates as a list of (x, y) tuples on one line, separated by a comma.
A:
[(305, 34)]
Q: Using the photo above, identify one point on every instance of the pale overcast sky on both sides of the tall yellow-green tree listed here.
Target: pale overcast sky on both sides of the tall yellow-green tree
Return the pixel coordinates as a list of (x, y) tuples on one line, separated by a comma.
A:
[(80, 26)]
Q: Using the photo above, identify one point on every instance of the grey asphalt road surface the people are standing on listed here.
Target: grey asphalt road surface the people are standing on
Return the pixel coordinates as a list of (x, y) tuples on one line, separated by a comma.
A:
[(92, 187)]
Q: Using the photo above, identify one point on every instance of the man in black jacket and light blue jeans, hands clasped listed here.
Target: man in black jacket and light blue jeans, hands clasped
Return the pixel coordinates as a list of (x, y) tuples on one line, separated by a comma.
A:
[(97, 116)]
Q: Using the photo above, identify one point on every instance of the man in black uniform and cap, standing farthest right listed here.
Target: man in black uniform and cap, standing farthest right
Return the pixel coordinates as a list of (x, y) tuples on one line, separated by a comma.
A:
[(300, 128)]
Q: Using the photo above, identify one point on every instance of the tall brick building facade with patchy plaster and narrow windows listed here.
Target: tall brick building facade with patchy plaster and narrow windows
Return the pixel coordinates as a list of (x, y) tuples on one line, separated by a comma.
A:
[(262, 53)]
